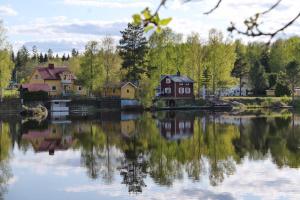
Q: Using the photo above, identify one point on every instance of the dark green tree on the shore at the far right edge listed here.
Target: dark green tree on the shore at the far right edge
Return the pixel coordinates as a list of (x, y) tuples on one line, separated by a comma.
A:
[(293, 77)]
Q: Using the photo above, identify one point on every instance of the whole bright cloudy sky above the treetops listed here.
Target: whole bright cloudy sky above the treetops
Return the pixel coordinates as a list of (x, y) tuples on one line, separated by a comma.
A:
[(65, 24)]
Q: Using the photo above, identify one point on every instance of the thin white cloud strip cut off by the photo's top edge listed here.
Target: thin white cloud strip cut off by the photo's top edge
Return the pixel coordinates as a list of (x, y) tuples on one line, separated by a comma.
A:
[(109, 4)]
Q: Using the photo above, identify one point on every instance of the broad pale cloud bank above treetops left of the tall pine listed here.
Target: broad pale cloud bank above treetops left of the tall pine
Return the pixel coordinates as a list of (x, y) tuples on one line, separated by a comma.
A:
[(62, 34)]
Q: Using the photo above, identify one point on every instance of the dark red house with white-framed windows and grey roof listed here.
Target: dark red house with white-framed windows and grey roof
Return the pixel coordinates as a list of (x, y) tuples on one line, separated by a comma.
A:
[(176, 87)]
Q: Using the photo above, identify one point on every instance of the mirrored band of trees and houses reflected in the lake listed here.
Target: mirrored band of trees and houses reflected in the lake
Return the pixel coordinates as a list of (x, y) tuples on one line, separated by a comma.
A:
[(166, 146)]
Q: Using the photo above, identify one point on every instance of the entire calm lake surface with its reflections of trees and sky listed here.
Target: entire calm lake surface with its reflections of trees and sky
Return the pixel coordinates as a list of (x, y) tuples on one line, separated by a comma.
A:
[(167, 155)]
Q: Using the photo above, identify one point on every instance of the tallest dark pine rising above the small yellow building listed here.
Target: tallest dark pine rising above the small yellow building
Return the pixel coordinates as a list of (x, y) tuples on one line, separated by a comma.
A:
[(132, 49)]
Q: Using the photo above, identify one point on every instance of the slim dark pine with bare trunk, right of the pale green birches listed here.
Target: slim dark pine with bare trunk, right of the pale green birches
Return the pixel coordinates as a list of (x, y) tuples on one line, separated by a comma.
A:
[(240, 69)]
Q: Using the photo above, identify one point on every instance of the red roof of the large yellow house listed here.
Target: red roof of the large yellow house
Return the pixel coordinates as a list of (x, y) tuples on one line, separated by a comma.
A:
[(52, 73)]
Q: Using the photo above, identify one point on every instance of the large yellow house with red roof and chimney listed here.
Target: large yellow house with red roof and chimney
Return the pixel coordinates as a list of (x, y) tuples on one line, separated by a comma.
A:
[(59, 80)]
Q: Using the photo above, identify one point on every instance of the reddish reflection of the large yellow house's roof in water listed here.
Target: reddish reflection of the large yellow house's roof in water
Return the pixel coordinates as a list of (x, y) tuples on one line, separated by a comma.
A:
[(46, 141)]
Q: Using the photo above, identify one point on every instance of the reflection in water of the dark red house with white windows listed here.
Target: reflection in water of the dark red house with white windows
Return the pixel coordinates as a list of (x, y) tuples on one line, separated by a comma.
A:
[(177, 127)]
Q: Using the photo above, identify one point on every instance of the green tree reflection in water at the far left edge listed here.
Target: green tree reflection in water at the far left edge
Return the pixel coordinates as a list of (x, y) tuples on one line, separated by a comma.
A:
[(5, 146)]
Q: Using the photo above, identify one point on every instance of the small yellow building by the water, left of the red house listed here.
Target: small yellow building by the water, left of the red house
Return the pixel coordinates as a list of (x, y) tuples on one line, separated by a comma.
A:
[(124, 90)]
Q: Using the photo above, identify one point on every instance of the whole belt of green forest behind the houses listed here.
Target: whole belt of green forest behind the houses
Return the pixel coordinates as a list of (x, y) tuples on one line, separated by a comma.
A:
[(215, 63)]
